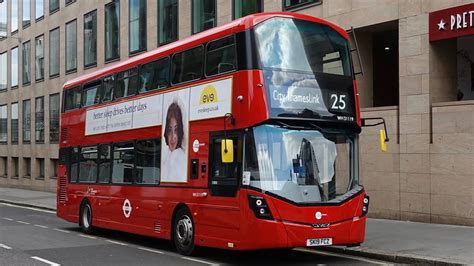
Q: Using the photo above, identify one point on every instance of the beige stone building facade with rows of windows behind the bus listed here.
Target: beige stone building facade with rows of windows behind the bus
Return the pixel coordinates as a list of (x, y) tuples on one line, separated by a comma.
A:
[(422, 84)]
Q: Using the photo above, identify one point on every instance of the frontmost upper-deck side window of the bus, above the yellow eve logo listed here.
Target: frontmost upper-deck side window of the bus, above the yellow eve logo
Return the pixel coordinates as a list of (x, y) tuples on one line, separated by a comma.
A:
[(221, 56)]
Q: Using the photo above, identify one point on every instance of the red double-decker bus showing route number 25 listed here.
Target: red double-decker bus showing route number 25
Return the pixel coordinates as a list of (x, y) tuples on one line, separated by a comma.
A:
[(241, 137)]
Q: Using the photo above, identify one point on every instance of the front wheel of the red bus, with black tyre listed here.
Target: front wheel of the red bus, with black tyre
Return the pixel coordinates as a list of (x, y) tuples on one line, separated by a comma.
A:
[(183, 232)]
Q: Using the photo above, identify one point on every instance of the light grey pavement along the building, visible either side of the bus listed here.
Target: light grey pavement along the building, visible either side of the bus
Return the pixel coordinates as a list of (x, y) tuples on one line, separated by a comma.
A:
[(389, 240)]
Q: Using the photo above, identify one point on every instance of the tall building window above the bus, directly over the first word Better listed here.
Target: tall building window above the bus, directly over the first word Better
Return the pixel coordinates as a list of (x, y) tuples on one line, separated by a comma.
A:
[(112, 30)]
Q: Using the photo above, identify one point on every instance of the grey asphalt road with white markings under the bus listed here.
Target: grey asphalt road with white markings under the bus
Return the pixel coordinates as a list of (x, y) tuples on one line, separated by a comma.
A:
[(30, 236)]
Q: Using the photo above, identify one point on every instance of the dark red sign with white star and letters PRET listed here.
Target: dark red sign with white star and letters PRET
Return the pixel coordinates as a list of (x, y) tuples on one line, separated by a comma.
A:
[(451, 23)]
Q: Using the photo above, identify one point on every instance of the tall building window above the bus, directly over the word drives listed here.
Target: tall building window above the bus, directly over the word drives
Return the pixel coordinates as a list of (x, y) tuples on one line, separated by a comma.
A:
[(137, 26)]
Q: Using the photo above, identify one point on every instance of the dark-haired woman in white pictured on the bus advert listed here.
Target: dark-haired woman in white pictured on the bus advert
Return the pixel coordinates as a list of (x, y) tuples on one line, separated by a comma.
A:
[(175, 158)]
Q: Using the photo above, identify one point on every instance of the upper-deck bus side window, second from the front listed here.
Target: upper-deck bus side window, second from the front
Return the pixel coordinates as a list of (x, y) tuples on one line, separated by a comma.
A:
[(187, 65)]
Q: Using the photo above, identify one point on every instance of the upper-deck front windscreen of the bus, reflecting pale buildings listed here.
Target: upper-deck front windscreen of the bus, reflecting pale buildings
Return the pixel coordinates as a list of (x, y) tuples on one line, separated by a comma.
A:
[(300, 46)]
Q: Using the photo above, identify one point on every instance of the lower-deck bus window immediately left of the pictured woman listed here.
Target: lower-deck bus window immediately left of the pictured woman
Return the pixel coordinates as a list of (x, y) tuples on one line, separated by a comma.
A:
[(148, 160)]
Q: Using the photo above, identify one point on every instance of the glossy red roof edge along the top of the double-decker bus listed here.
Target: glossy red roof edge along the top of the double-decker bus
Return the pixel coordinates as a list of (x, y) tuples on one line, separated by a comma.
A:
[(237, 25)]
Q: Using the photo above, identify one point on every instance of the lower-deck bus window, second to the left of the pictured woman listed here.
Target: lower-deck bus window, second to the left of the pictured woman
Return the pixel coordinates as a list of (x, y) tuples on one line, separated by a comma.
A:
[(123, 163)]
